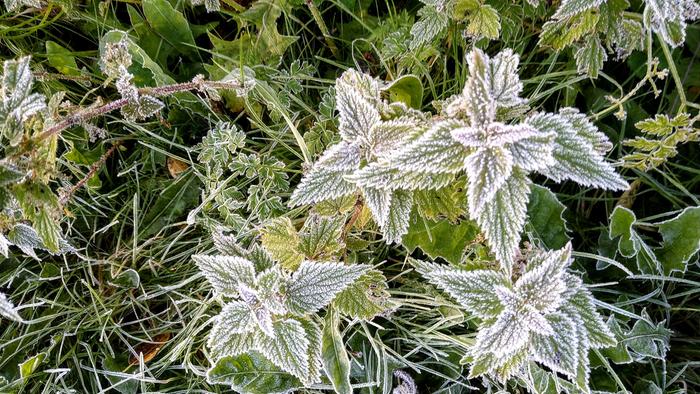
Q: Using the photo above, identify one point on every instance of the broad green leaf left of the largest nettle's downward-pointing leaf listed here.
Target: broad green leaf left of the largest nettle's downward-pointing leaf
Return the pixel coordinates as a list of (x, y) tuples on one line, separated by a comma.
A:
[(440, 238)]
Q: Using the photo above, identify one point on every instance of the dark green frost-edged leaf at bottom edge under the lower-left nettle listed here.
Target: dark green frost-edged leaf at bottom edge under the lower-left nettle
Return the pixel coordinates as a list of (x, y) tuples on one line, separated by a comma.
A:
[(252, 373)]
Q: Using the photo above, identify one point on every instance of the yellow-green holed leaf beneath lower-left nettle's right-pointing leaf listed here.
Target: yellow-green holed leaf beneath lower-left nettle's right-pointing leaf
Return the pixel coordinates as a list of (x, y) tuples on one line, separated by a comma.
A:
[(365, 298)]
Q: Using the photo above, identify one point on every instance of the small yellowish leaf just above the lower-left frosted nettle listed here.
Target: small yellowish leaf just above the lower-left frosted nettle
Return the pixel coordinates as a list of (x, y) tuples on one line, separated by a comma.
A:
[(281, 240)]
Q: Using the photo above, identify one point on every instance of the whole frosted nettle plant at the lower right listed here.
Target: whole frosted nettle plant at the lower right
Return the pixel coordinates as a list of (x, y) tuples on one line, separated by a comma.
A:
[(547, 315)]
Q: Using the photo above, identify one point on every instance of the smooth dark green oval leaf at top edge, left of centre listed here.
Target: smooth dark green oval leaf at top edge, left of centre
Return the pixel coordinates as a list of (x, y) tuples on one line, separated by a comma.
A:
[(170, 24)]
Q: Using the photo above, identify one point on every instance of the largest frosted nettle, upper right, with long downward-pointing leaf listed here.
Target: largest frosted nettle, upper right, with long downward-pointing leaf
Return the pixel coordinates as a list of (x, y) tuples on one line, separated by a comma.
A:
[(484, 136)]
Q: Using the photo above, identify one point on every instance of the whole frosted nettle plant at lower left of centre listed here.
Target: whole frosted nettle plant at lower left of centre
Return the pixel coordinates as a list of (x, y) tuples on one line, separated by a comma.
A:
[(270, 310)]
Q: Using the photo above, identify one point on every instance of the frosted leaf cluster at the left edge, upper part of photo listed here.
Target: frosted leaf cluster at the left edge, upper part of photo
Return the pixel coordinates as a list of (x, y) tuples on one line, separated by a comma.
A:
[(17, 102)]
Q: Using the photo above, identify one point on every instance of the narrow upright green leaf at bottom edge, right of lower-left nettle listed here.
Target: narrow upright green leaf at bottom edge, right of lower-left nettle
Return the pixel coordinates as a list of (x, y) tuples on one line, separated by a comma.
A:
[(335, 358)]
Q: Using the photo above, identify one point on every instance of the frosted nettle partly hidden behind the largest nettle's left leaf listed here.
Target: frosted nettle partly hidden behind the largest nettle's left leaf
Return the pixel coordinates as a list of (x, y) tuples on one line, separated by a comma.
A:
[(370, 129)]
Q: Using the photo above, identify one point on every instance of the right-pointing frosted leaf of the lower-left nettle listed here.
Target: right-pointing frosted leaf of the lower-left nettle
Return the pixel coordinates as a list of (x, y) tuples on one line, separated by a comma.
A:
[(314, 285)]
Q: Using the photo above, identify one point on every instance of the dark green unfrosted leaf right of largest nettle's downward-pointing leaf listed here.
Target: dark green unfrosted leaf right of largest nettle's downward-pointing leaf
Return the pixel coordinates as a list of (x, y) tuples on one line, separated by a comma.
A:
[(546, 218)]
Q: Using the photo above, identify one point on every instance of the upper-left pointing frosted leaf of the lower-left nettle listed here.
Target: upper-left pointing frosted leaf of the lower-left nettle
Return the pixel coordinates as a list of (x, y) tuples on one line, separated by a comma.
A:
[(224, 273)]
